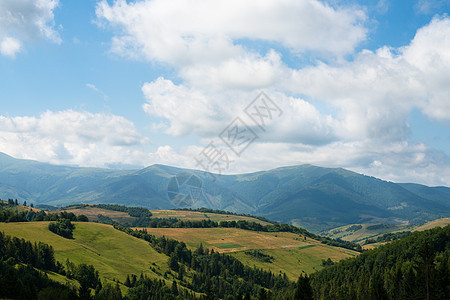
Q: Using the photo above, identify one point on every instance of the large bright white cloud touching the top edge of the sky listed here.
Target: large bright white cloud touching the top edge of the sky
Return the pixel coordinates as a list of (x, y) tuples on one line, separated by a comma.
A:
[(183, 32)]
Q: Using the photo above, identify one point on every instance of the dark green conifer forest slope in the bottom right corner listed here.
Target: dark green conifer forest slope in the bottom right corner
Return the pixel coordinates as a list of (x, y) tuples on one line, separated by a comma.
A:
[(414, 267)]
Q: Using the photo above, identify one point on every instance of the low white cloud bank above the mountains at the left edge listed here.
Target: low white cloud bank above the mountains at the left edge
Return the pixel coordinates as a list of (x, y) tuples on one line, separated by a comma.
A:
[(72, 137)]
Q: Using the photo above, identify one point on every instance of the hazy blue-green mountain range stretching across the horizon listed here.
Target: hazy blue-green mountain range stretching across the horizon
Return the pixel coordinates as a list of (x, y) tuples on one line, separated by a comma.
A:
[(313, 197)]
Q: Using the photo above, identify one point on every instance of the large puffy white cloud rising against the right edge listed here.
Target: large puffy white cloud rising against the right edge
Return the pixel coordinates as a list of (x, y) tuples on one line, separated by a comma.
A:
[(374, 93)]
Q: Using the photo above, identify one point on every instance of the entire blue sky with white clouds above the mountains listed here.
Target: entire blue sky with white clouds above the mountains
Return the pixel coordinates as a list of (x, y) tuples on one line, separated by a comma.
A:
[(229, 86)]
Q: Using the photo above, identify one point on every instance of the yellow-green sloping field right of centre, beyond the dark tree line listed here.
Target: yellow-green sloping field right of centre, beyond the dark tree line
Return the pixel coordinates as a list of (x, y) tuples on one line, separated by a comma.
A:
[(292, 253)]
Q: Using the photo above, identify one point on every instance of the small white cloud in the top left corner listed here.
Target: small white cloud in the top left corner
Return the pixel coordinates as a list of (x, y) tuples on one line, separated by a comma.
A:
[(26, 20)]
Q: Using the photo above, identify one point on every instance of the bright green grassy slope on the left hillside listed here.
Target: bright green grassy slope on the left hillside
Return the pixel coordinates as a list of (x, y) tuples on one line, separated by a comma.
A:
[(113, 253)]
